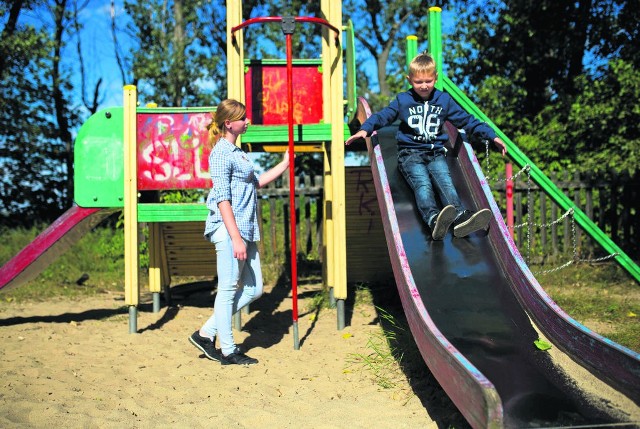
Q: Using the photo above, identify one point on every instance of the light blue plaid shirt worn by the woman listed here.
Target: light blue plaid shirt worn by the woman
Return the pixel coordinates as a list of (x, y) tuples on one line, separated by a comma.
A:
[(234, 180)]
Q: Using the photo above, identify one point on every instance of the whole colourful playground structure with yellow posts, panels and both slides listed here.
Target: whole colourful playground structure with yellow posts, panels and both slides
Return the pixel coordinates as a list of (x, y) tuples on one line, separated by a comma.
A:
[(124, 151)]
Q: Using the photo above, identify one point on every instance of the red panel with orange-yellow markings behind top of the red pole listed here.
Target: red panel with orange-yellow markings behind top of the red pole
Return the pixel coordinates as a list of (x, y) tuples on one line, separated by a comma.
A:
[(266, 89)]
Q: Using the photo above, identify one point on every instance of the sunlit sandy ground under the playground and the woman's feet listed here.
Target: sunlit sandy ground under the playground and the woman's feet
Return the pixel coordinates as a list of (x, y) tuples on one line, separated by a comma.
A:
[(73, 364)]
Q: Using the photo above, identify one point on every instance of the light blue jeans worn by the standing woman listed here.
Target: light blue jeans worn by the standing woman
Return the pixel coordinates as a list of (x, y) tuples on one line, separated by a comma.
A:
[(239, 283)]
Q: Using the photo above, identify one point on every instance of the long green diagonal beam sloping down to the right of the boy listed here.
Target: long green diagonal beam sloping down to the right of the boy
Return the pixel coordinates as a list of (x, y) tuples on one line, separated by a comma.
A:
[(546, 184)]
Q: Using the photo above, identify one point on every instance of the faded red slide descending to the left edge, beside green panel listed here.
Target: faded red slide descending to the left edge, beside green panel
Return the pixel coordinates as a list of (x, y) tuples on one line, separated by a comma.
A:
[(50, 244)]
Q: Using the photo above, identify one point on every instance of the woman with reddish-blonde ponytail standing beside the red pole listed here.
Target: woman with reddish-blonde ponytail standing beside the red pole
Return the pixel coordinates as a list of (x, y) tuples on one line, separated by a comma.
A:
[(232, 226)]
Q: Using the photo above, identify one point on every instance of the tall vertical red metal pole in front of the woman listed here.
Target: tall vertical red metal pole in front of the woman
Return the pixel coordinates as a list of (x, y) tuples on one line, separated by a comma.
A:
[(292, 195)]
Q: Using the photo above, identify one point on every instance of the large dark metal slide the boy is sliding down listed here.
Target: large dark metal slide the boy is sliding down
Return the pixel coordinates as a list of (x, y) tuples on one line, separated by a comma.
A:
[(476, 311)]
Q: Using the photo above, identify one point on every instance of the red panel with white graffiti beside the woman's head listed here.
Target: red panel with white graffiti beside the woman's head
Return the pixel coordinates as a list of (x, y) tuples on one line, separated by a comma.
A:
[(173, 151)]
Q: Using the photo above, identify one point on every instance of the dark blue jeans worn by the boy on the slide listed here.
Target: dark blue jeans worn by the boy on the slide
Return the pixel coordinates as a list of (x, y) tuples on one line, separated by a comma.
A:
[(426, 173)]
